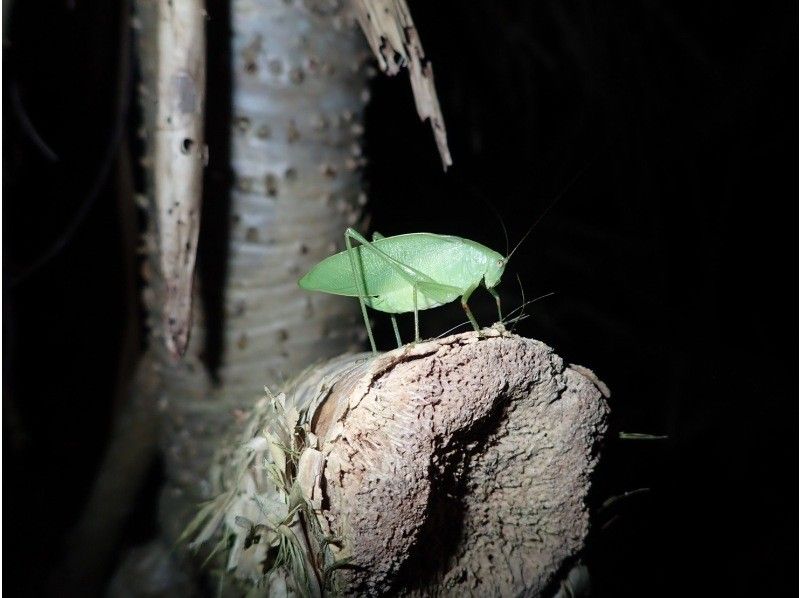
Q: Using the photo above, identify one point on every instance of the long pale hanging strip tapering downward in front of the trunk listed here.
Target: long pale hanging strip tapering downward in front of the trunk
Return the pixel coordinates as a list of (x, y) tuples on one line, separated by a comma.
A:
[(179, 157)]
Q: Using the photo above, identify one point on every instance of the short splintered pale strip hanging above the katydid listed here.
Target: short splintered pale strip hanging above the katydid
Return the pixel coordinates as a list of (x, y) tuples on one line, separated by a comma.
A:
[(393, 38)]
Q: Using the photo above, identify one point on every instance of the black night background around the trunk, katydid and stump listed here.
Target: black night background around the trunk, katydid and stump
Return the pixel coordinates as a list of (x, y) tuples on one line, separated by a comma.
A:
[(668, 133)]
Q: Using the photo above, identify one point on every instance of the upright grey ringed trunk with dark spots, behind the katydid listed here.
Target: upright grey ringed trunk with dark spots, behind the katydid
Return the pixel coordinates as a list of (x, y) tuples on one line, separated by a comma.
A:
[(298, 81)]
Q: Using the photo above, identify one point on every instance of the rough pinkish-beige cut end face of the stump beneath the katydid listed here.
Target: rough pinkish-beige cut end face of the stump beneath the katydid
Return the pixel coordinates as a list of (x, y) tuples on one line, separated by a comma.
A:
[(461, 464)]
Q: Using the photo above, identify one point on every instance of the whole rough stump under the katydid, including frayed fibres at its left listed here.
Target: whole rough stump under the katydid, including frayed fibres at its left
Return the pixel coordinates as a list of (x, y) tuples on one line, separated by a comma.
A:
[(456, 466)]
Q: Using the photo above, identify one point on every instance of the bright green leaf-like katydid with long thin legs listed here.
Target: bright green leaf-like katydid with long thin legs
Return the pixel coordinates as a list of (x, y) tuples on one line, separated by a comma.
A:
[(407, 273)]
